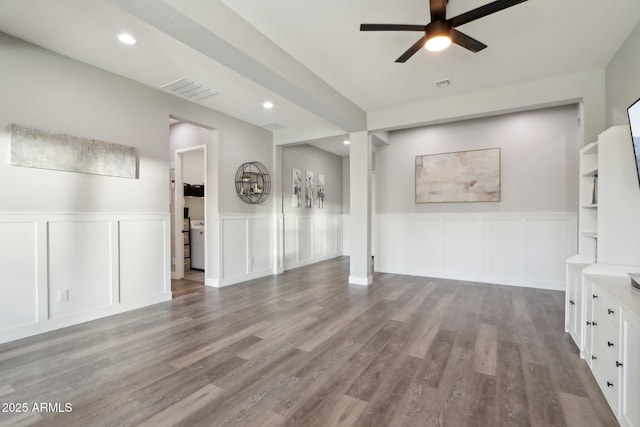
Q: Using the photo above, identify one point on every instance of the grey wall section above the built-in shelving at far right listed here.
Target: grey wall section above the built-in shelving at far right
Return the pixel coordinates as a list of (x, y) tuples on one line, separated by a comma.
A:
[(623, 84)]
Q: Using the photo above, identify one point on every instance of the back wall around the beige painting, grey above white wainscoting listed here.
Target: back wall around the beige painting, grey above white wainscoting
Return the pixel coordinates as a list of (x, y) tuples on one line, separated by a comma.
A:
[(522, 240)]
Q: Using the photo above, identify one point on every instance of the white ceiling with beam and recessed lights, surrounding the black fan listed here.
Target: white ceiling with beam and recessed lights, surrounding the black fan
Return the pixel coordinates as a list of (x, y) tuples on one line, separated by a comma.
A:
[(310, 59)]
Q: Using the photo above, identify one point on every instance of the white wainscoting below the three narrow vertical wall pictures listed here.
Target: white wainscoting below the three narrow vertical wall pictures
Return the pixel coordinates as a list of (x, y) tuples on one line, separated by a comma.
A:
[(311, 238)]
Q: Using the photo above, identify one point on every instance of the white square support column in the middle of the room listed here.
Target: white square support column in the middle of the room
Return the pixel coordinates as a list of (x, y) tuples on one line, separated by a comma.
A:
[(360, 158)]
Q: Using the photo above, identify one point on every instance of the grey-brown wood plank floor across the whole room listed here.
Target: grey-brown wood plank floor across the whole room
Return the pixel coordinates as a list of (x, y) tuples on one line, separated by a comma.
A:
[(305, 348)]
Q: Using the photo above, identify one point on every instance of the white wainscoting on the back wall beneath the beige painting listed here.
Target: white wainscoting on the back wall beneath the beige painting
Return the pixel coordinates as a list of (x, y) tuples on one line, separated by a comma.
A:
[(520, 249)]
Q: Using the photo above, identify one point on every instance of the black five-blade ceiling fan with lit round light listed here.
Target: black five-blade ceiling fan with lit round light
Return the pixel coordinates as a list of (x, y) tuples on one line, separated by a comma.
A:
[(441, 32)]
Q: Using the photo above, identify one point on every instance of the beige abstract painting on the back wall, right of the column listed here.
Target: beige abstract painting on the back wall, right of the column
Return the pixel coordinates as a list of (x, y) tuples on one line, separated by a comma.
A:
[(463, 176)]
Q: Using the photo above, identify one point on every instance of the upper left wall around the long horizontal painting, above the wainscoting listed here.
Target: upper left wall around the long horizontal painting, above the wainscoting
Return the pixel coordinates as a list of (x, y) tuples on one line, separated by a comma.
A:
[(47, 91)]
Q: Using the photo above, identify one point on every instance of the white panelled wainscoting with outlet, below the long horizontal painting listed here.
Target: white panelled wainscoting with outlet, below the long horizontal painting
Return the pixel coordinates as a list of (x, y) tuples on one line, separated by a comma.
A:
[(58, 270)]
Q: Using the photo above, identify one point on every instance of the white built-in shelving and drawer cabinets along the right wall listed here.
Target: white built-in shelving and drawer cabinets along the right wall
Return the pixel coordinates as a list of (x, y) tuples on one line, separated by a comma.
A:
[(602, 312)]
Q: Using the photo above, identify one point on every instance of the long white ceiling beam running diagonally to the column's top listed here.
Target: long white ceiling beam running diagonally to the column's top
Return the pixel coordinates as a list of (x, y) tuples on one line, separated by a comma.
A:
[(277, 71)]
